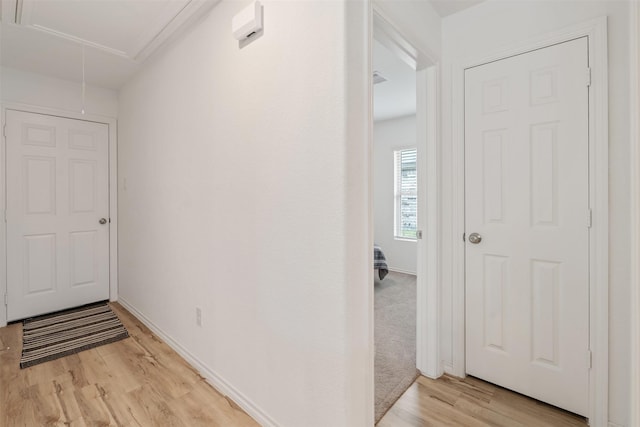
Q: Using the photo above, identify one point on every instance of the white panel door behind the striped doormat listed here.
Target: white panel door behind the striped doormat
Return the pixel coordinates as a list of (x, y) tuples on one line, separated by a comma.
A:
[(57, 192)]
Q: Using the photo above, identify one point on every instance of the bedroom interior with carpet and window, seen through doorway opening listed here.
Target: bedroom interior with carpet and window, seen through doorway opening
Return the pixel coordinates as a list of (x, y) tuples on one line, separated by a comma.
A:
[(395, 215)]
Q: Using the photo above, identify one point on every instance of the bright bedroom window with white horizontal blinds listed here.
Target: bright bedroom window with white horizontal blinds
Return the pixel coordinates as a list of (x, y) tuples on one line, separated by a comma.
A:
[(406, 194)]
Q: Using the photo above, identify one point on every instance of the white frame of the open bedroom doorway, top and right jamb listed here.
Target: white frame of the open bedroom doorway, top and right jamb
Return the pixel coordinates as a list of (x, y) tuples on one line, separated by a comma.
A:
[(427, 67)]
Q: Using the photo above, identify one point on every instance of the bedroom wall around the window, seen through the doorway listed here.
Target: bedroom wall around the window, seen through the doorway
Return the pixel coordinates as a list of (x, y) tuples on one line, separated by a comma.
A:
[(388, 136)]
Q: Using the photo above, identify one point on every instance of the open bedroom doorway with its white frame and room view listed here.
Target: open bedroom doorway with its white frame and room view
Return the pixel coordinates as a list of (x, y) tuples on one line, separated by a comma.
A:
[(404, 184)]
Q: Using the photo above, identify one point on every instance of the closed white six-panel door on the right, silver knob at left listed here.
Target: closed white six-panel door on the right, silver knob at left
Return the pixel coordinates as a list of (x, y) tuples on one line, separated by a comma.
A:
[(527, 196)]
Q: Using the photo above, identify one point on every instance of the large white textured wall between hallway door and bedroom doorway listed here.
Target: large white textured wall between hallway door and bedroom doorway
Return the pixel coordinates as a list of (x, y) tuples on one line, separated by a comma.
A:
[(240, 195)]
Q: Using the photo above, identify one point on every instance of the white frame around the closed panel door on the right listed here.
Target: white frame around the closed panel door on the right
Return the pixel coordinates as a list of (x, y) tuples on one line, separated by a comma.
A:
[(596, 31)]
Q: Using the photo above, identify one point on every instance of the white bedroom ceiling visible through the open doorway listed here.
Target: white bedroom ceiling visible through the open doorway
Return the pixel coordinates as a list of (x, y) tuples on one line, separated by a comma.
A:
[(397, 96)]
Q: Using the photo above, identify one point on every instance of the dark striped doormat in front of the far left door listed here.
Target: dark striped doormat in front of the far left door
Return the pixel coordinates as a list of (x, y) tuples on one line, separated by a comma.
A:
[(67, 332)]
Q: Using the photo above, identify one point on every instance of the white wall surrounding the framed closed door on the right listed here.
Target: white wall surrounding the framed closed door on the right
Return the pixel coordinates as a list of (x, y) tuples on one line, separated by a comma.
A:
[(491, 25)]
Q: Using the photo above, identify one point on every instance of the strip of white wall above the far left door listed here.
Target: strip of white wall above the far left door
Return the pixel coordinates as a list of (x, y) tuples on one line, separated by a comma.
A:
[(37, 90)]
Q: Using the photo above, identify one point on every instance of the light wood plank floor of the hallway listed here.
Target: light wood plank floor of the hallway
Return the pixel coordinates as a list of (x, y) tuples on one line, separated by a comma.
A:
[(141, 382)]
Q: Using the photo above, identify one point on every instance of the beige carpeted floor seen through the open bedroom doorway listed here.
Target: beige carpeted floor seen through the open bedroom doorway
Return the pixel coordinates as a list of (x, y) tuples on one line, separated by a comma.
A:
[(395, 339)]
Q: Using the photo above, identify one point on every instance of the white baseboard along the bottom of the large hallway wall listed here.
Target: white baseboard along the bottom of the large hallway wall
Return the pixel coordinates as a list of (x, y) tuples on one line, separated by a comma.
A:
[(212, 378)]
